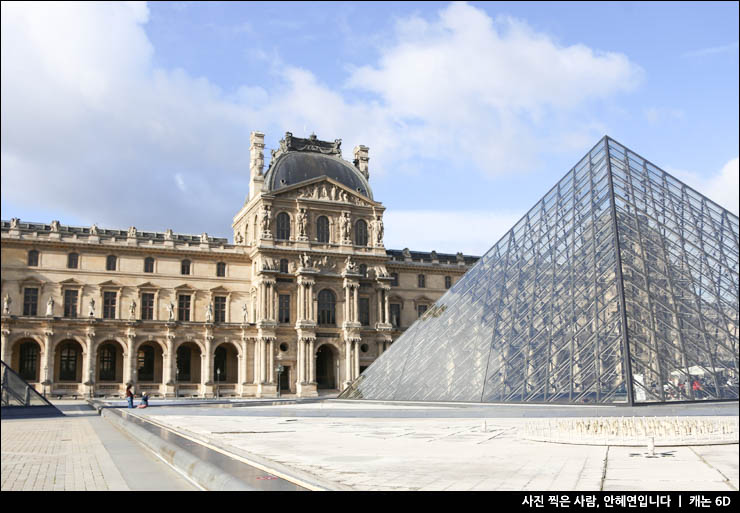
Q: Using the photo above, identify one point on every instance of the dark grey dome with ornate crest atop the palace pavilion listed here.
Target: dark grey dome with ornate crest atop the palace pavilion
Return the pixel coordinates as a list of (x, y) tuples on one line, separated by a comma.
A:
[(299, 160)]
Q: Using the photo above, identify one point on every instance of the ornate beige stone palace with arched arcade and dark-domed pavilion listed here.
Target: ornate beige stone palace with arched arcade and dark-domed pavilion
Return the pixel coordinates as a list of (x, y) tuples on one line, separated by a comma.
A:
[(305, 298)]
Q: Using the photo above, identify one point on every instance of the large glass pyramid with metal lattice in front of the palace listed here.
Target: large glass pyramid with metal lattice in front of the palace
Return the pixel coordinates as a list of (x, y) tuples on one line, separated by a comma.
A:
[(619, 286)]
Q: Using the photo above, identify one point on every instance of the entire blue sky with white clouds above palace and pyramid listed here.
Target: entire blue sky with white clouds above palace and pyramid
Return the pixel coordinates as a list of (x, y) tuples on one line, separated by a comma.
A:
[(135, 114)]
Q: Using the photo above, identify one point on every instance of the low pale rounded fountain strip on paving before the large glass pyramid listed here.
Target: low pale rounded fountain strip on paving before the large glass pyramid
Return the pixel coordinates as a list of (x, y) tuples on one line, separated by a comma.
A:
[(634, 431)]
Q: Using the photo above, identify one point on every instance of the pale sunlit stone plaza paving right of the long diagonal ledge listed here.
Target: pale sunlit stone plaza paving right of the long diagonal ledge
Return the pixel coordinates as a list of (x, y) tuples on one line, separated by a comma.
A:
[(427, 453)]
